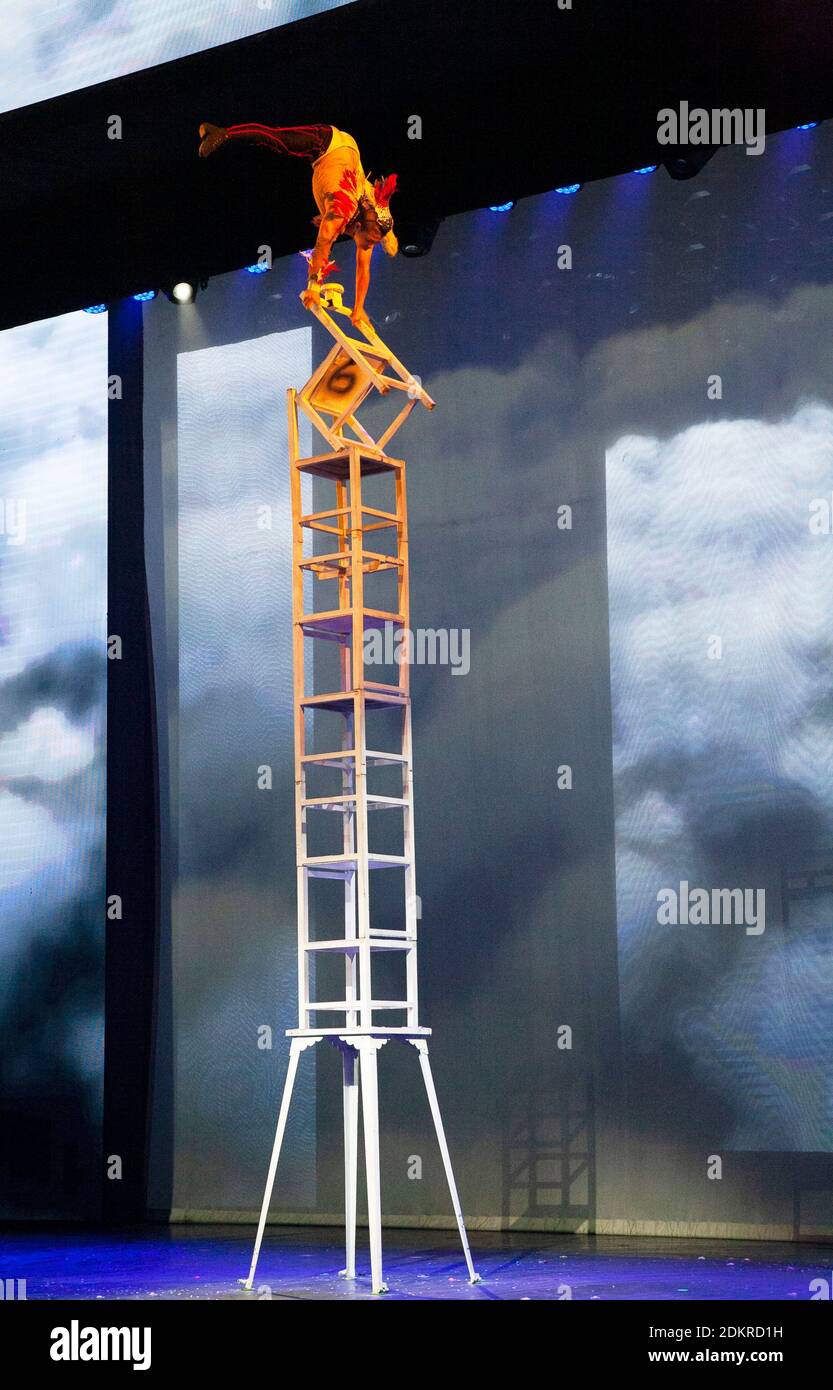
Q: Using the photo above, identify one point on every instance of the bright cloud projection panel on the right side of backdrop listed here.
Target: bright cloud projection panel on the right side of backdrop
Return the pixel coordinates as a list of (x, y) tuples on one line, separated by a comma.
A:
[(721, 654)]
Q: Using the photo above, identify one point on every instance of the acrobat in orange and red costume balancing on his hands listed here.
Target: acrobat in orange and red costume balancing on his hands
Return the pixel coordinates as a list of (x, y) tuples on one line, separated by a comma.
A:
[(348, 202)]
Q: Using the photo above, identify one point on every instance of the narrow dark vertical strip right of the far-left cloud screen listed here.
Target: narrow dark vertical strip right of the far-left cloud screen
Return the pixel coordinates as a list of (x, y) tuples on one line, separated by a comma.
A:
[(133, 792)]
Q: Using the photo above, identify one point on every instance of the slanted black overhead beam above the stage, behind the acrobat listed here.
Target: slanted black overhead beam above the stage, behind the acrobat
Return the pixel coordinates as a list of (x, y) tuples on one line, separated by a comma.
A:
[(517, 97)]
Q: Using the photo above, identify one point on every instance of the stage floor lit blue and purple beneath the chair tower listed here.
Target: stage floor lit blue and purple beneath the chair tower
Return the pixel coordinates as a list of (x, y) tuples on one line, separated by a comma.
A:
[(304, 1263)]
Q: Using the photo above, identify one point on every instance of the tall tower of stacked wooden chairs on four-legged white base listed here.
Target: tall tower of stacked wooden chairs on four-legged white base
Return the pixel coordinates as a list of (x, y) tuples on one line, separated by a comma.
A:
[(347, 546)]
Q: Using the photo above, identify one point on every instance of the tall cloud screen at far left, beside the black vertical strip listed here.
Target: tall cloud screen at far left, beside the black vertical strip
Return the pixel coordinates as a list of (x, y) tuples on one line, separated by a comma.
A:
[(54, 605)]
